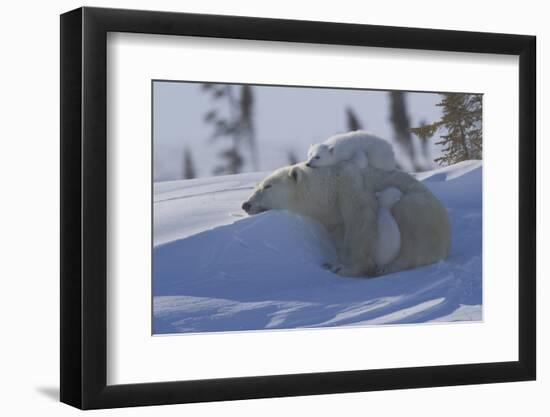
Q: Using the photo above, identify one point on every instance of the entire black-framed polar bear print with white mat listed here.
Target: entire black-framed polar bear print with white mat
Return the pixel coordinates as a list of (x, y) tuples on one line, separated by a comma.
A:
[(258, 207)]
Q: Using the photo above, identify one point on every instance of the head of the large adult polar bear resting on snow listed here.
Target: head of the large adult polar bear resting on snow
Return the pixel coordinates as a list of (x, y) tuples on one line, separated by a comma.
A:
[(280, 190)]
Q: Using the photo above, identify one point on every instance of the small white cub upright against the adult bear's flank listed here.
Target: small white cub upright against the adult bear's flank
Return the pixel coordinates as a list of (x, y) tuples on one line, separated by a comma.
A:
[(389, 236)]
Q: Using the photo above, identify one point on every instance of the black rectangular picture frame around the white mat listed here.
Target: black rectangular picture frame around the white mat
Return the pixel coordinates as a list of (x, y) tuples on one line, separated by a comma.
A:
[(84, 207)]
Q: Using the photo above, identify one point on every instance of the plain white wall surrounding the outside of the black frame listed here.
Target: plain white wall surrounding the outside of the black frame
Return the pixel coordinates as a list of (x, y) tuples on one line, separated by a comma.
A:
[(29, 132)]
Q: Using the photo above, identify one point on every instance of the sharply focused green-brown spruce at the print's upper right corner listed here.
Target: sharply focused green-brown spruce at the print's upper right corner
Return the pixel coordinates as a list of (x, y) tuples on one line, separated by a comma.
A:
[(461, 128)]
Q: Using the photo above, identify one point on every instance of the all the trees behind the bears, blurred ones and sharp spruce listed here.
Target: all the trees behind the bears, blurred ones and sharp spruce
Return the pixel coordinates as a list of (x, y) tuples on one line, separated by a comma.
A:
[(231, 119)]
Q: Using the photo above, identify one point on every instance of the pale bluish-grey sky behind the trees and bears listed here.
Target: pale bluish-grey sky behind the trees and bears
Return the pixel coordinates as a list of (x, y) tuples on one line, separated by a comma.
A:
[(286, 119)]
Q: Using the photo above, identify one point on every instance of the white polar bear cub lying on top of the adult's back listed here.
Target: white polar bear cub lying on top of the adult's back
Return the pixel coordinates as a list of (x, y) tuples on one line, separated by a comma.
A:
[(359, 146)]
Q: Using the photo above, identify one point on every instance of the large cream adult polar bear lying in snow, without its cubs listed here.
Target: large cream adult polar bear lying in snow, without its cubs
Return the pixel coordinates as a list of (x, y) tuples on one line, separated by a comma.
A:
[(342, 198)]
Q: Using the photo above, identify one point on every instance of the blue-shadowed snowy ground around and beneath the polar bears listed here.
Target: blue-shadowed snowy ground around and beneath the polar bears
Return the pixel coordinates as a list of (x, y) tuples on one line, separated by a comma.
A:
[(216, 269)]
